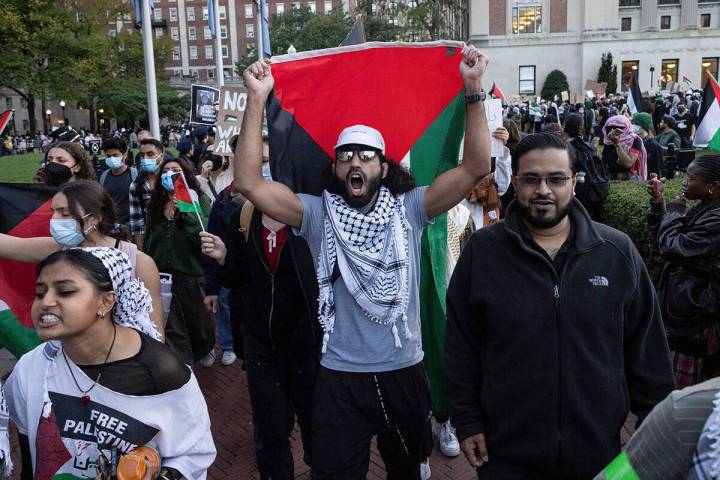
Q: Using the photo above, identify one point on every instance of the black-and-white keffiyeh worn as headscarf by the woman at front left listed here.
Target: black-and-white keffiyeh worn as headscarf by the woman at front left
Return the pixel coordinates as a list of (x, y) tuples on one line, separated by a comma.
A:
[(133, 303)]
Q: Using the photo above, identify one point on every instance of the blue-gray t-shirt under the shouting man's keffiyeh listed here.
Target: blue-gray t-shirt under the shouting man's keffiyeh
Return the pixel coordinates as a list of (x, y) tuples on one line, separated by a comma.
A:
[(358, 344)]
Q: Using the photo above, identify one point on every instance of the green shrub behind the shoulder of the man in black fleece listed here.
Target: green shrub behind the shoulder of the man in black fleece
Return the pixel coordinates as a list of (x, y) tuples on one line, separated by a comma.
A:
[(626, 209)]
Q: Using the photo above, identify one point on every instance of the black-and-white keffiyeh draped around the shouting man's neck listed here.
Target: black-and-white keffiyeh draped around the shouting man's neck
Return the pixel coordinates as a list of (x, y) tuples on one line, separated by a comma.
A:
[(371, 251)]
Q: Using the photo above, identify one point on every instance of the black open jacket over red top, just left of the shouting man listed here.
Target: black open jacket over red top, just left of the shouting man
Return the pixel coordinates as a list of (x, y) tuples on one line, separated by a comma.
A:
[(279, 308)]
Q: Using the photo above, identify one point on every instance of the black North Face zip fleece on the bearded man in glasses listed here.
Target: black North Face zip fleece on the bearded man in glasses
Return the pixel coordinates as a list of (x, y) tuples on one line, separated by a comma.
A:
[(547, 364)]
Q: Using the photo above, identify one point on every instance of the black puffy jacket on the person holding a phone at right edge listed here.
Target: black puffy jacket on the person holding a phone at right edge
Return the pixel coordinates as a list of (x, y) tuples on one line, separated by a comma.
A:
[(688, 242)]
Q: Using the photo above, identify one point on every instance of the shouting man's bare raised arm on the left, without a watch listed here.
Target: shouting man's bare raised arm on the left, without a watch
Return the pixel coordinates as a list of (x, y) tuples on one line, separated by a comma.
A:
[(272, 198)]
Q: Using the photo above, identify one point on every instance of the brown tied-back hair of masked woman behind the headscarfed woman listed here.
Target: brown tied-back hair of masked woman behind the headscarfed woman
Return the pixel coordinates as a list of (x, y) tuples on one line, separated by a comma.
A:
[(94, 199)]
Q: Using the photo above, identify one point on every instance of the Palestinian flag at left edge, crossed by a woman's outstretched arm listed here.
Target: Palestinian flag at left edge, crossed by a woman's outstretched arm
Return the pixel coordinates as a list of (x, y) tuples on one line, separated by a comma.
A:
[(24, 212)]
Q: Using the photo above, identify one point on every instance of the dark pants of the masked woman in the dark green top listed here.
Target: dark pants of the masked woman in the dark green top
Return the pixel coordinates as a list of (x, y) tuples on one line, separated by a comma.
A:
[(190, 329)]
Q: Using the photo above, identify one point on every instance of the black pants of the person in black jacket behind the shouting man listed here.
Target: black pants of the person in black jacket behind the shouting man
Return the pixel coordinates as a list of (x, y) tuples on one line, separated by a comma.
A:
[(281, 383)]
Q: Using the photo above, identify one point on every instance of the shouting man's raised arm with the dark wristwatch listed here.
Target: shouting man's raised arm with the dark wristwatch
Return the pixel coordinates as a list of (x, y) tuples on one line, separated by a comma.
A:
[(452, 186)]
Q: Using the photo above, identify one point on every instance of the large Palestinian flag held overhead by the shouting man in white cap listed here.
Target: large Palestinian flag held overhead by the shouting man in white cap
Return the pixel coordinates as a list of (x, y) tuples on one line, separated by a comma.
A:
[(412, 93)]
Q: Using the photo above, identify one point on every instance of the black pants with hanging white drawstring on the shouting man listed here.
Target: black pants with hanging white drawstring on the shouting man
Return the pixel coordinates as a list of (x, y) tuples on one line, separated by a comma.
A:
[(351, 408)]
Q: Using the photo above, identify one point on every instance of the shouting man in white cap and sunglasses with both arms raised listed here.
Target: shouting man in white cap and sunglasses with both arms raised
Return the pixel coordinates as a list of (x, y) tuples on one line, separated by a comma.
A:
[(364, 233)]
